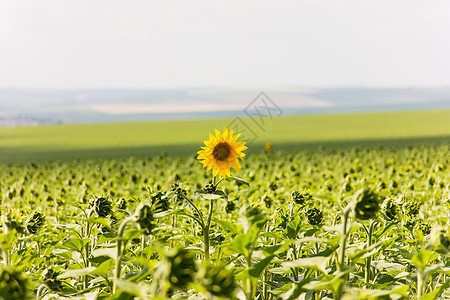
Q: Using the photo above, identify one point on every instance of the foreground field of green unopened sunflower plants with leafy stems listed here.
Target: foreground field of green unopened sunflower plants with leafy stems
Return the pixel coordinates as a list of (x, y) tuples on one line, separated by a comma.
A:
[(365, 222)]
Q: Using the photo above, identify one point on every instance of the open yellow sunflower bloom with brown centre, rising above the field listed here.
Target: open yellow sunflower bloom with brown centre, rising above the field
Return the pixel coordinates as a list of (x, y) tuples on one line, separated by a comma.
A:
[(222, 152)]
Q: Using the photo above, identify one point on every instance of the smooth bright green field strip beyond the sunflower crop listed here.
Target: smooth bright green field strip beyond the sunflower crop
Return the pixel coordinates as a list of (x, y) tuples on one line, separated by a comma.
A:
[(68, 142)]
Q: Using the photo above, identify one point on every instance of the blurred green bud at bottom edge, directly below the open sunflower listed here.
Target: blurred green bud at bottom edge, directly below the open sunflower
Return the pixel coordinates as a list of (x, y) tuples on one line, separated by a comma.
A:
[(218, 281)]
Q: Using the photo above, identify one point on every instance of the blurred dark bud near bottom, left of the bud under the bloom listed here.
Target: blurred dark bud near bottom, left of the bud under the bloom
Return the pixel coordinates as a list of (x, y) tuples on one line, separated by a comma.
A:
[(182, 268)]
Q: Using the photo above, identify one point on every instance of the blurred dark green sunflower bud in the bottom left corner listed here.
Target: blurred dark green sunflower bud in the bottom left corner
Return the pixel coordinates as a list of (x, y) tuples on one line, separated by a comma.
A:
[(13, 285)]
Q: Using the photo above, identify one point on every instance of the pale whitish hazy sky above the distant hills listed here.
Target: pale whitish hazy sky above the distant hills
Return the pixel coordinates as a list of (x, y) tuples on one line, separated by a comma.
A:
[(165, 44)]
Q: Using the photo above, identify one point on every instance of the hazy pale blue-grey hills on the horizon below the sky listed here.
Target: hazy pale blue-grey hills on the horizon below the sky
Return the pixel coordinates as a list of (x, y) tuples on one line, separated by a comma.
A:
[(33, 107)]
